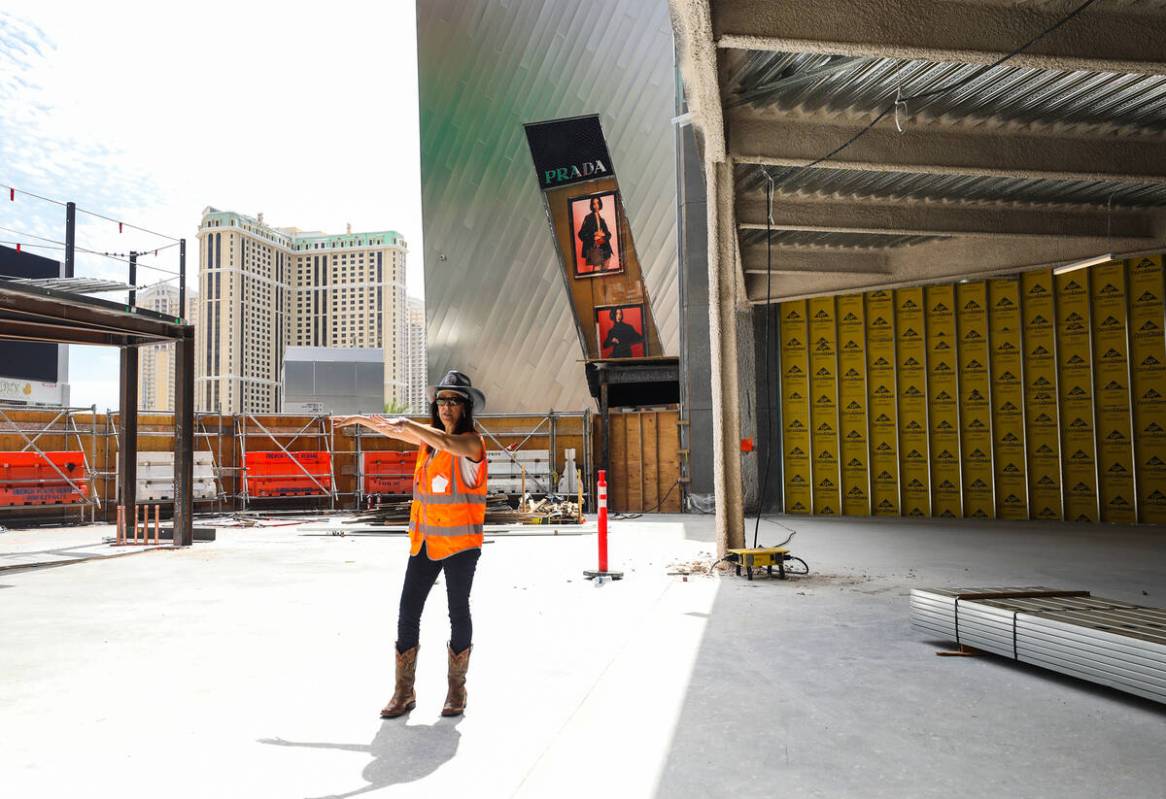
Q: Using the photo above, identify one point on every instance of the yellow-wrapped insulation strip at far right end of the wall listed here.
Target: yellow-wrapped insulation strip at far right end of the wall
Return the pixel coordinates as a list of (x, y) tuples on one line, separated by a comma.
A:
[(1148, 365)]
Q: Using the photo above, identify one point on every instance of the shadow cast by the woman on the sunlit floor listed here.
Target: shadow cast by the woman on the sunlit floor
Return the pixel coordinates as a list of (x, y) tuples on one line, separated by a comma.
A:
[(402, 753)]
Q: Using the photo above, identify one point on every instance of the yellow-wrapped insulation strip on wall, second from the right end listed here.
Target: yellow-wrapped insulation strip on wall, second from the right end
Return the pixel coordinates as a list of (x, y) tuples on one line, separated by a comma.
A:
[(1112, 394)]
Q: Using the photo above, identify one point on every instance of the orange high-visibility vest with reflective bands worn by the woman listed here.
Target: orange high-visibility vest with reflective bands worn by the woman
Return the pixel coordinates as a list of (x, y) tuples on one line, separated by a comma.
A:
[(447, 516)]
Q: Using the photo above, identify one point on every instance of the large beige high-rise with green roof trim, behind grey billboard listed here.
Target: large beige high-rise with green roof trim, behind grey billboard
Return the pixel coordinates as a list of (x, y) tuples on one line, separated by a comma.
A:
[(268, 289)]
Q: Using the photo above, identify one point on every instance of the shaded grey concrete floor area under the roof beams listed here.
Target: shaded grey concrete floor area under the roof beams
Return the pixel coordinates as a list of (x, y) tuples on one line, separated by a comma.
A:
[(820, 688)]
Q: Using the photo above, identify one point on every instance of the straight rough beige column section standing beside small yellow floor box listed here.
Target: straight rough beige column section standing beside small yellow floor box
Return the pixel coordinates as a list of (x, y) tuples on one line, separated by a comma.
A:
[(726, 295)]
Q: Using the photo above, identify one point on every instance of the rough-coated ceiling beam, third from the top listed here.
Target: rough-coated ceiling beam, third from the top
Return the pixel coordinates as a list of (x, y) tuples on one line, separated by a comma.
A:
[(923, 219)]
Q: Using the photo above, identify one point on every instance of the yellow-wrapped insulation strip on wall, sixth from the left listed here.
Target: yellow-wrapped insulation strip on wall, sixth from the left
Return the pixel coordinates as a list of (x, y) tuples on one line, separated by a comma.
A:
[(943, 399)]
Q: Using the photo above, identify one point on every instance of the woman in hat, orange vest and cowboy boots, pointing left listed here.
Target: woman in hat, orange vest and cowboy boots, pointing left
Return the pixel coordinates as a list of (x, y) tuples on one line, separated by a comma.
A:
[(449, 509)]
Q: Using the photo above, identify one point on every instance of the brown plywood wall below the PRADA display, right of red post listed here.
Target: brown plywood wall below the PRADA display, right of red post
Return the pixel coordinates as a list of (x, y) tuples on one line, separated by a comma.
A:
[(644, 474)]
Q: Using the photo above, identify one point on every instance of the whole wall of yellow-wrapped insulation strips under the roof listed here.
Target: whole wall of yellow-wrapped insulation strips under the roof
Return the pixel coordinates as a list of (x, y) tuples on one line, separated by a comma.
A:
[(1039, 397)]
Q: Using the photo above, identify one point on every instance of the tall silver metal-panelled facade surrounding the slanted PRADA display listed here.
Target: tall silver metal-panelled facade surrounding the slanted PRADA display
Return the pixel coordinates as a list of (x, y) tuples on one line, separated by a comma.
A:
[(495, 299)]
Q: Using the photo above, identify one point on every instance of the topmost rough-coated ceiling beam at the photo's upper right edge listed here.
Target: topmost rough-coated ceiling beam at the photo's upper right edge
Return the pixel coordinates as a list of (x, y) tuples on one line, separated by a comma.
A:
[(1105, 38)]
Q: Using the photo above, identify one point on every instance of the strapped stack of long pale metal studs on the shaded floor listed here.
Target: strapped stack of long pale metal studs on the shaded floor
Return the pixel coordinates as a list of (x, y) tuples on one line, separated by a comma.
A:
[(1108, 642)]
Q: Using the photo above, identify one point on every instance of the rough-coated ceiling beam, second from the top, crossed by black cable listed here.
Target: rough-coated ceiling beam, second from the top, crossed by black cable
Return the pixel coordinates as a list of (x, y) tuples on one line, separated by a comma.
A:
[(945, 150)]
